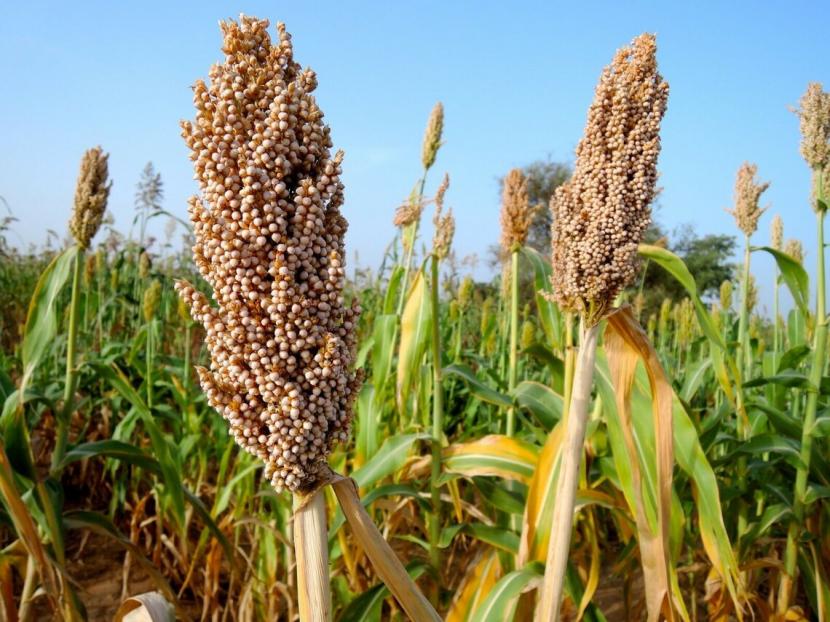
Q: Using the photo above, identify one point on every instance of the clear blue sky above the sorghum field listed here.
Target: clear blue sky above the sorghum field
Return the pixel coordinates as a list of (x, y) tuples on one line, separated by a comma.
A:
[(515, 78)]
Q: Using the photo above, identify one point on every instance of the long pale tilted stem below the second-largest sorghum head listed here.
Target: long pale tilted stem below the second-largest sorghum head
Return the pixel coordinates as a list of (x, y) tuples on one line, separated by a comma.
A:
[(571, 457)]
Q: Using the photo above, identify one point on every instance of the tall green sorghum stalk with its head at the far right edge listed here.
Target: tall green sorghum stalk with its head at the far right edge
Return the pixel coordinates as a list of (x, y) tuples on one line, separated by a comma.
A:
[(814, 117)]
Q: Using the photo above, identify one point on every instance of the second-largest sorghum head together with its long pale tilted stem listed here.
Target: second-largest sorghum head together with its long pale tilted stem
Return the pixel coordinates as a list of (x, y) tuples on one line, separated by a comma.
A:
[(599, 218)]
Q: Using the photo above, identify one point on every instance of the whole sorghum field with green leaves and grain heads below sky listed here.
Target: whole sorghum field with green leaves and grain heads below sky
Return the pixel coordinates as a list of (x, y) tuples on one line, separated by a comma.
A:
[(241, 429)]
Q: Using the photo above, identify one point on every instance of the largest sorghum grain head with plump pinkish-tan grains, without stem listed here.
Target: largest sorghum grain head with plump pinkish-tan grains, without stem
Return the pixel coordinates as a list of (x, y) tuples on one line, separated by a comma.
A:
[(269, 241)]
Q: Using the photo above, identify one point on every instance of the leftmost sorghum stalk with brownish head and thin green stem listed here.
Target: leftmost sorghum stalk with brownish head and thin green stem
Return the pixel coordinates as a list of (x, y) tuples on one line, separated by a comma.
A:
[(91, 194)]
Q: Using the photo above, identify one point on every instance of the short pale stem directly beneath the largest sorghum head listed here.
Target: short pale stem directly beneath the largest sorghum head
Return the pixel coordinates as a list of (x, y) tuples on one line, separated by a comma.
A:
[(312, 551)]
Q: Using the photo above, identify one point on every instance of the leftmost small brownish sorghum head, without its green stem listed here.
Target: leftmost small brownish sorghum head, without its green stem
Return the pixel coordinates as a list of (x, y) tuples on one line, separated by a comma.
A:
[(91, 194)]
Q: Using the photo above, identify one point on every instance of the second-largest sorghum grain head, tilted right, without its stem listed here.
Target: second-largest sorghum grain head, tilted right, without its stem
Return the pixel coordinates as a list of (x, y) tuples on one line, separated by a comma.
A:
[(601, 214)]
